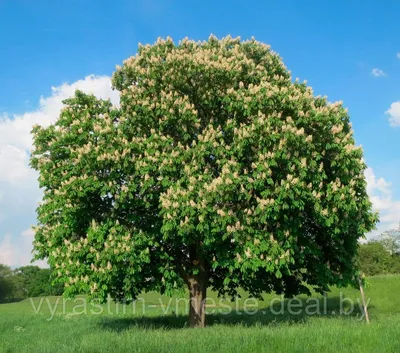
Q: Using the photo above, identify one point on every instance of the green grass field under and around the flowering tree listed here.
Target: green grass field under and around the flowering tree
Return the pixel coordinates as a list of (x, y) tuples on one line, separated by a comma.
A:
[(159, 325)]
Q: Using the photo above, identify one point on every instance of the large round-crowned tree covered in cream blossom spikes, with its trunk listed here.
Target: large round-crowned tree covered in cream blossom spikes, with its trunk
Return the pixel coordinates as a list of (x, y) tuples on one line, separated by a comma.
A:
[(217, 170)]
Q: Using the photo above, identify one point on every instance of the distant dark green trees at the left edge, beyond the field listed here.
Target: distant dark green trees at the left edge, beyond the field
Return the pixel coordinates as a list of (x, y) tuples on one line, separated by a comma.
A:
[(26, 282)]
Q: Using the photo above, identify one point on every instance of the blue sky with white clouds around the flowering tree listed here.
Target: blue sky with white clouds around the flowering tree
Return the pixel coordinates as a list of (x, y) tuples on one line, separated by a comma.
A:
[(348, 50)]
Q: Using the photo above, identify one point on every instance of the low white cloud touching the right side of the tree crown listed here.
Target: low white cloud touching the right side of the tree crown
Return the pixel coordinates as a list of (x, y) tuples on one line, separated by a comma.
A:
[(381, 195)]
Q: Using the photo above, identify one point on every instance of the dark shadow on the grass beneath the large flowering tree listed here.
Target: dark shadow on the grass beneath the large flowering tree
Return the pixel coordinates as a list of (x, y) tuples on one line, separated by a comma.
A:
[(285, 311)]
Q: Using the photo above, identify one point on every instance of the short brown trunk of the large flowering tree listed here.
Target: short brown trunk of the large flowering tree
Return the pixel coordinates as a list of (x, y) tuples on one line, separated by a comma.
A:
[(197, 298)]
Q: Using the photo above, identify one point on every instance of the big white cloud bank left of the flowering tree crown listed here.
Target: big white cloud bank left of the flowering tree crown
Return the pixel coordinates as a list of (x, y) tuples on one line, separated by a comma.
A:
[(19, 191)]
